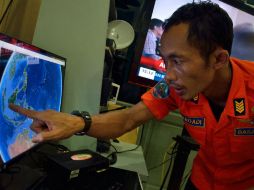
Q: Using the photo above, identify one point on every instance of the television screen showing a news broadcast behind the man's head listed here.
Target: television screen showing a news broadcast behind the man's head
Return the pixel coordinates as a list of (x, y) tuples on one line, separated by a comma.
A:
[(148, 68)]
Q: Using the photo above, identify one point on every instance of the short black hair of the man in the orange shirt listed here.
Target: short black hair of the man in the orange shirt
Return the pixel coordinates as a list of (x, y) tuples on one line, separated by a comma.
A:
[(209, 26)]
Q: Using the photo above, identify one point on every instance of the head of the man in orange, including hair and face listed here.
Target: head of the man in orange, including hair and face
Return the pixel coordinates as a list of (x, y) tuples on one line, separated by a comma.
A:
[(195, 45)]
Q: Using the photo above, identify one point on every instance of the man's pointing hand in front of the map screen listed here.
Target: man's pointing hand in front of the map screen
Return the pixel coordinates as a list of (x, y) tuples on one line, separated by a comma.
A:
[(51, 125)]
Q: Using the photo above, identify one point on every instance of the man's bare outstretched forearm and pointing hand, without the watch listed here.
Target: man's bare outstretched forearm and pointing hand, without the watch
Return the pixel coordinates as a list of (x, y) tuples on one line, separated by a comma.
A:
[(53, 125)]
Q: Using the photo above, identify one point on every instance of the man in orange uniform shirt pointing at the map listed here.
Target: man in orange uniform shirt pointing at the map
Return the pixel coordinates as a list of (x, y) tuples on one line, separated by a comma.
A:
[(214, 93)]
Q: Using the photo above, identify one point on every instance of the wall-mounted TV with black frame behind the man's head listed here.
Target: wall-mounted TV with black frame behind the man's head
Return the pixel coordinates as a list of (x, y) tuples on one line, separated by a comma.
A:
[(147, 70)]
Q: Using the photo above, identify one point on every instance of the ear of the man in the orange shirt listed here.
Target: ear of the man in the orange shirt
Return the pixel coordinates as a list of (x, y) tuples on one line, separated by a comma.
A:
[(221, 58)]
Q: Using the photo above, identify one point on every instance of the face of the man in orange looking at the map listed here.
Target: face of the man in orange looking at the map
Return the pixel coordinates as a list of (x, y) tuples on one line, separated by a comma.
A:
[(187, 71)]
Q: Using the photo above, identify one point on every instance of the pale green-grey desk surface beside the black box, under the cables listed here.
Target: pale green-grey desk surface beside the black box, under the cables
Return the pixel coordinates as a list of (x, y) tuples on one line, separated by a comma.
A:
[(131, 160)]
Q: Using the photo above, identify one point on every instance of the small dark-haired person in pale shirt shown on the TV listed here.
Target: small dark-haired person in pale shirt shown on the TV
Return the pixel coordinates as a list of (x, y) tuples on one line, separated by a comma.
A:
[(153, 39)]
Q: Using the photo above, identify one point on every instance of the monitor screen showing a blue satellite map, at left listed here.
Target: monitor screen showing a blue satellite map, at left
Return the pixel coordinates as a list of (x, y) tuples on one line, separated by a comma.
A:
[(31, 78)]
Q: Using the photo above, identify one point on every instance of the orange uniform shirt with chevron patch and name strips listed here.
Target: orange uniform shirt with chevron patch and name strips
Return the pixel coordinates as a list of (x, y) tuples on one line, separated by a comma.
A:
[(225, 160)]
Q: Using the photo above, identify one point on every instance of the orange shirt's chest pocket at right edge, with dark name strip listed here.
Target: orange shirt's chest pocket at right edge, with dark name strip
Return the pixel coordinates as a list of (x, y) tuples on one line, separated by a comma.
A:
[(241, 136)]
